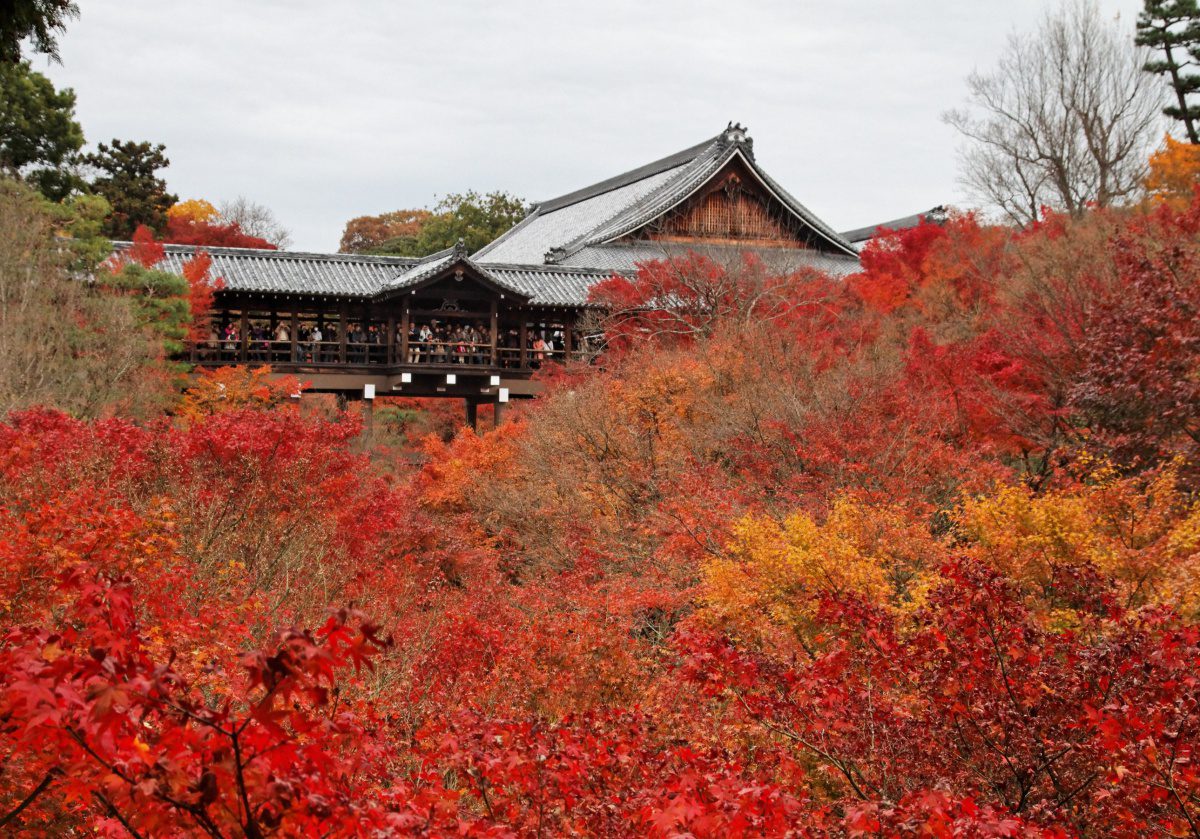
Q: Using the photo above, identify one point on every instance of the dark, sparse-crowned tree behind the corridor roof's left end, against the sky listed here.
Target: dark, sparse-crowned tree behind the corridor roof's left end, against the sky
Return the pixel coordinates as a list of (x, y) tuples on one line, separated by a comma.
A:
[(128, 177)]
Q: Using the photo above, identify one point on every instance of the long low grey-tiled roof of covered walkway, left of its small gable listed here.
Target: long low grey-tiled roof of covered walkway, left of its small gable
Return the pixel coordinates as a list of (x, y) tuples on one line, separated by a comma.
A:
[(290, 273)]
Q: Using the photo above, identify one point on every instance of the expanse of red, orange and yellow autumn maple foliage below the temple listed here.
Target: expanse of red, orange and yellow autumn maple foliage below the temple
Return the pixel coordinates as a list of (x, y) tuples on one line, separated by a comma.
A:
[(913, 553)]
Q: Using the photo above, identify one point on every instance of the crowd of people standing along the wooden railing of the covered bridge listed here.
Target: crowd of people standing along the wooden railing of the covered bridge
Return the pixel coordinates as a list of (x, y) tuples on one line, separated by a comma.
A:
[(434, 343)]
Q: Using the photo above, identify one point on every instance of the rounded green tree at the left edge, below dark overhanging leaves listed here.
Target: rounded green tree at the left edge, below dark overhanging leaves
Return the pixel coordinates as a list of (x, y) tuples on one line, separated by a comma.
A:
[(40, 137)]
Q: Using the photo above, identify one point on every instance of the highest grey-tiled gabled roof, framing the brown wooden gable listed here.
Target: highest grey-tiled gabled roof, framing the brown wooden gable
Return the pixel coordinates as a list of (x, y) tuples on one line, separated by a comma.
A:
[(559, 230)]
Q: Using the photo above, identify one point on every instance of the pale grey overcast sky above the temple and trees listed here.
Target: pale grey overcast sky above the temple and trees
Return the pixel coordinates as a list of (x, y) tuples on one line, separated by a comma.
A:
[(327, 111)]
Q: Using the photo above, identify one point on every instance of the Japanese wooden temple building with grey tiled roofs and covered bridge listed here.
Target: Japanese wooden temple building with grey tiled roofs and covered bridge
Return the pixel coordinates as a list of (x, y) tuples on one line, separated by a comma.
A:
[(477, 326)]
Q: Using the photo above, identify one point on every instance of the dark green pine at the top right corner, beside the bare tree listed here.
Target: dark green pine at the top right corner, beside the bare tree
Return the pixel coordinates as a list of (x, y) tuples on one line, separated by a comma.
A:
[(1173, 29)]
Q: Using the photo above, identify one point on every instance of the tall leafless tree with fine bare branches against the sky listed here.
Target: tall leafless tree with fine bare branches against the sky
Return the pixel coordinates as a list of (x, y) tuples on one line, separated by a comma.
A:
[(1066, 119)]
